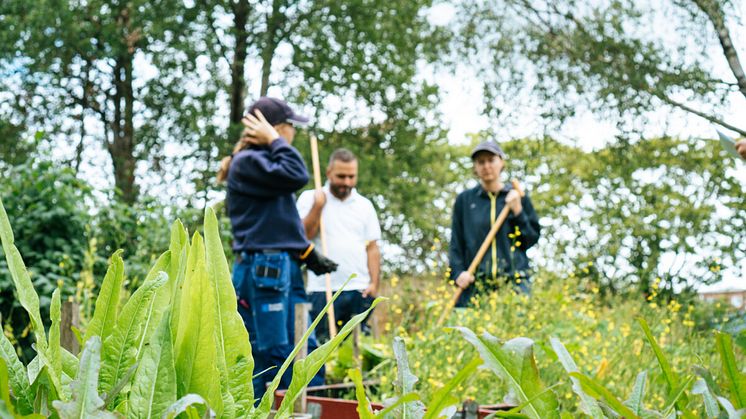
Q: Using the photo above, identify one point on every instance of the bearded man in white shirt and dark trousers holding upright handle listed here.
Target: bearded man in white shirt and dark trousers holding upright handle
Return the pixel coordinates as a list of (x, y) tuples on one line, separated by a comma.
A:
[(351, 232)]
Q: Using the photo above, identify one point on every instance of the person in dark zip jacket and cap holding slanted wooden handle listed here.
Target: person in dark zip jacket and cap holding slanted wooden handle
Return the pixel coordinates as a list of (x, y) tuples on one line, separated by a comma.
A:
[(474, 213)]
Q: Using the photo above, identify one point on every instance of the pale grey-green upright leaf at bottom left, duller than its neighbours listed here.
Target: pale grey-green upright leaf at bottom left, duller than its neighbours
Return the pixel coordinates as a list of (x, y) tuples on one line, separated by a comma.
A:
[(86, 402)]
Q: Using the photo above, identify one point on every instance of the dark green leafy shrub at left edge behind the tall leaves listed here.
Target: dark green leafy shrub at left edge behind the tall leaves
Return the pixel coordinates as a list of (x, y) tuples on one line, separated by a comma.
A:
[(47, 204)]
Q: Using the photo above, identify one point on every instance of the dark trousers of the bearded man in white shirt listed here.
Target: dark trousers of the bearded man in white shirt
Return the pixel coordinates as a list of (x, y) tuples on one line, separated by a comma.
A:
[(346, 306)]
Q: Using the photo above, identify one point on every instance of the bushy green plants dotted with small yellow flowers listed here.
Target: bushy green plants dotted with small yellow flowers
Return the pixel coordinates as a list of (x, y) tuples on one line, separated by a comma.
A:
[(605, 340)]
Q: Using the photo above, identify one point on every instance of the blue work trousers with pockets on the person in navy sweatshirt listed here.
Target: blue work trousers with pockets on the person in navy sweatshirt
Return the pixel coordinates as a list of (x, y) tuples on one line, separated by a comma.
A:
[(268, 284)]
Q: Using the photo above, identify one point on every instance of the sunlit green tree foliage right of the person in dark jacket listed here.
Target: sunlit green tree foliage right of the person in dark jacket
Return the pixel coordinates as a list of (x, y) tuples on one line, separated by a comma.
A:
[(630, 213)]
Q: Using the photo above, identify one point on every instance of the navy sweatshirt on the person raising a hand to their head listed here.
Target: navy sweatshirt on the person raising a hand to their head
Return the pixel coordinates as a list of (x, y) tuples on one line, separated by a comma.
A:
[(262, 182)]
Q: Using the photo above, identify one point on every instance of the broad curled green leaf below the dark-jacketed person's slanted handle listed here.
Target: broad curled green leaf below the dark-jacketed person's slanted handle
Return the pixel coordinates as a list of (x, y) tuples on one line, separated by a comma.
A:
[(515, 363)]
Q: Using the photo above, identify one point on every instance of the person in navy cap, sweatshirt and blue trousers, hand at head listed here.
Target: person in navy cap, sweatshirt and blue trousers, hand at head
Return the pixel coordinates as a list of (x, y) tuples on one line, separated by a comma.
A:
[(269, 240)]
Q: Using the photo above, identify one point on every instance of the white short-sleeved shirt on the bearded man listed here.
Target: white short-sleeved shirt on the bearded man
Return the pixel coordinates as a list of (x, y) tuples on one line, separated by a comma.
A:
[(348, 227)]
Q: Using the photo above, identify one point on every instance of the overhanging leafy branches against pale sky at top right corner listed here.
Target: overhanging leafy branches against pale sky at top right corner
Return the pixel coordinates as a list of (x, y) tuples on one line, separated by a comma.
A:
[(621, 59)]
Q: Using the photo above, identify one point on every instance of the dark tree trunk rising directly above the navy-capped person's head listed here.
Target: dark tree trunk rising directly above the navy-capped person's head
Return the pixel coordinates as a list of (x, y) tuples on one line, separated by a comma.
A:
[(241, 12)]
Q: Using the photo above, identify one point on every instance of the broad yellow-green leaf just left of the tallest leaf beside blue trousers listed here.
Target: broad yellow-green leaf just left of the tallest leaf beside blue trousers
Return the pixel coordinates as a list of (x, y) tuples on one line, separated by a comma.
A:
[(196, 347)]
